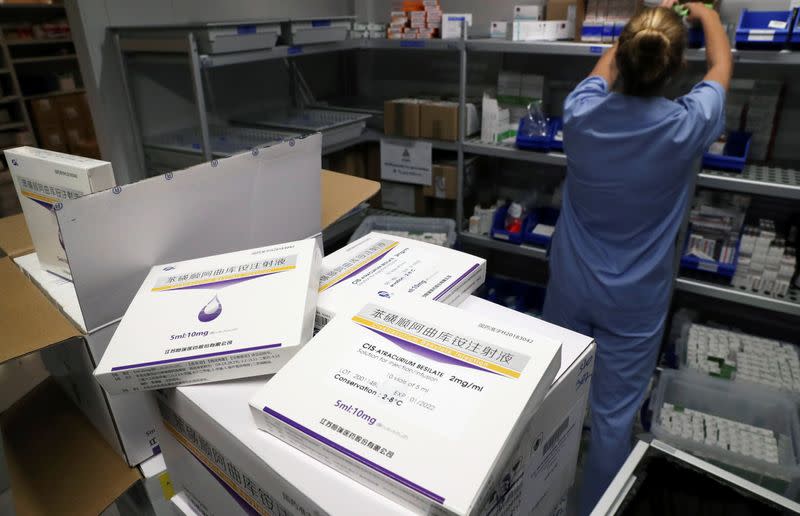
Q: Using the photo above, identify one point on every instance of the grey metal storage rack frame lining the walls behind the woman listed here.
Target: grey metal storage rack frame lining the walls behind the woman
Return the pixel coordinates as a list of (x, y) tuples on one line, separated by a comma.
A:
[(756, 180)]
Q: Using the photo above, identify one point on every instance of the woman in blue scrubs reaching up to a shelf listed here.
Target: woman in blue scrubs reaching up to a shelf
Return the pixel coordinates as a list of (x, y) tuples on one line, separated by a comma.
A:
[(631, 155)]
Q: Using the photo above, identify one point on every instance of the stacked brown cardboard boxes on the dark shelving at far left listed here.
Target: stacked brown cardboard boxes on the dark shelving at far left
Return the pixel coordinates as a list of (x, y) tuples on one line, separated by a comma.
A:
[(64, 124)]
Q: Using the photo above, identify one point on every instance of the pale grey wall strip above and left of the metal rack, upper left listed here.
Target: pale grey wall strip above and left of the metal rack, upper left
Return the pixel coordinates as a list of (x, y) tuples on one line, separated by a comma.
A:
[(89, 20)]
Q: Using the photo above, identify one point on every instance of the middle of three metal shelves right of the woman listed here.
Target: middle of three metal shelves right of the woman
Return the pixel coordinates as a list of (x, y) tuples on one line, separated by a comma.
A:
[(757, 180)]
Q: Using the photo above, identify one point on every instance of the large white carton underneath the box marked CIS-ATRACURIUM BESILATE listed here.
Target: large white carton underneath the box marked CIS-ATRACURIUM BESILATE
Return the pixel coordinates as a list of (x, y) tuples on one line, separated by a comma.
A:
[(220, 460)]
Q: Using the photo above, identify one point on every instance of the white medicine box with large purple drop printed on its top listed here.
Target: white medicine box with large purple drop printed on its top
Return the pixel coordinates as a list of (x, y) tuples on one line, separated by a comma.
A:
[(216, 318)]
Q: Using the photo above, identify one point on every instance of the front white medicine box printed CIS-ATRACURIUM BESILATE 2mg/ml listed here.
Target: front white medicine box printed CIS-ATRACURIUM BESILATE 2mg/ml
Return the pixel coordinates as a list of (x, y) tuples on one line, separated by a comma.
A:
[(417, 400)]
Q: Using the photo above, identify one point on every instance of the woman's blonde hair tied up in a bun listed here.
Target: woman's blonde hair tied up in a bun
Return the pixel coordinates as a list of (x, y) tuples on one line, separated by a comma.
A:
[(650, 51)]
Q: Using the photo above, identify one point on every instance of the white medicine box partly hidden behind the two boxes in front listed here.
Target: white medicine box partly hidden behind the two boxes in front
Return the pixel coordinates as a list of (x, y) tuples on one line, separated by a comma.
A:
[(386, 265)]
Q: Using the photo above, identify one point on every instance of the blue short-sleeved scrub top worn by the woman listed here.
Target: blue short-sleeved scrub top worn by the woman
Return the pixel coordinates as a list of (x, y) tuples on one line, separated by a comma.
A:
[(630, 162)]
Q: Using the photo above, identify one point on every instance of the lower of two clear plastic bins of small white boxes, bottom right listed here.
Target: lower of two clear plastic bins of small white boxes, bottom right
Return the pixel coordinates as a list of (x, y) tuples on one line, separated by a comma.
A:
[(742, 403)]
